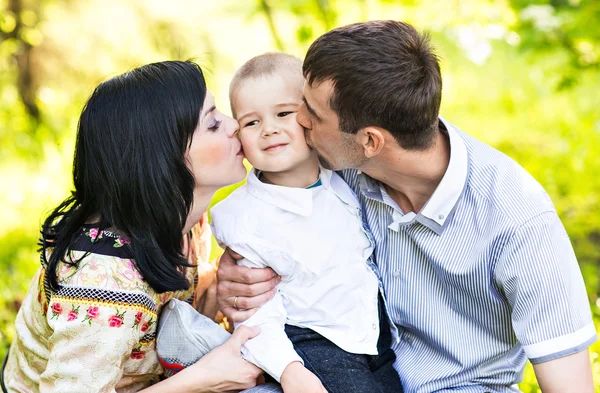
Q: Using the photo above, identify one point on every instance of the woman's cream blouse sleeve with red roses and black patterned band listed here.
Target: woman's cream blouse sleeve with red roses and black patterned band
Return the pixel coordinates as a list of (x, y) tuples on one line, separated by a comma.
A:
[(93, 335)]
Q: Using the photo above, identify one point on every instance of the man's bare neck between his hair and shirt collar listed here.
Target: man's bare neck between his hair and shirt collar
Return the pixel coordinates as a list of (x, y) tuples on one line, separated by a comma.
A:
[(411, 177)]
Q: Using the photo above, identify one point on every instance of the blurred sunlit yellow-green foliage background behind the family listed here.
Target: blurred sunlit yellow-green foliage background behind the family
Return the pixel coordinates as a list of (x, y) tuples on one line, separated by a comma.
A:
[(520, 75)]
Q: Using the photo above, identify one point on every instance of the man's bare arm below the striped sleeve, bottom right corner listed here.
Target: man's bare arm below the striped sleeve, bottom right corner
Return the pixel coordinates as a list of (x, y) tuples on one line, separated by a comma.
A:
[(570, 374)]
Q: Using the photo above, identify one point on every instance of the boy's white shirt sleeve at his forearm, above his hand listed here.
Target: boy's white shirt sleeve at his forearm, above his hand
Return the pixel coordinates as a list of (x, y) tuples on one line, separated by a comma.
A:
[(271, 350)]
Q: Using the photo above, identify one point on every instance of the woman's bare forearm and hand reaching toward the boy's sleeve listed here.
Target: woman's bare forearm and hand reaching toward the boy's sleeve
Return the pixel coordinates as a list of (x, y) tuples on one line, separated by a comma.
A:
[(221, 370)]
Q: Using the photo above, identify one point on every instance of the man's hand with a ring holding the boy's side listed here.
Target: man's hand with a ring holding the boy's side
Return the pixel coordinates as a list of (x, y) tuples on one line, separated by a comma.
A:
[(252, 287)]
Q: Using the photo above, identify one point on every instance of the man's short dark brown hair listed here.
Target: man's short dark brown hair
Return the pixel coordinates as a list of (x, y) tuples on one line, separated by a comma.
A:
[(384, 74)]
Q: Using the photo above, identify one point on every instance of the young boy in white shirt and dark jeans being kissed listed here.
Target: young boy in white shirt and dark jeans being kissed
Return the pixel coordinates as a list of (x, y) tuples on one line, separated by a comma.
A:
[(323, 325)]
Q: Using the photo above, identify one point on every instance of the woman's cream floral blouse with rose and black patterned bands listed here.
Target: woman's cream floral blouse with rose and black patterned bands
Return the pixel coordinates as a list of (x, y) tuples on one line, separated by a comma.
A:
[(97, 332)]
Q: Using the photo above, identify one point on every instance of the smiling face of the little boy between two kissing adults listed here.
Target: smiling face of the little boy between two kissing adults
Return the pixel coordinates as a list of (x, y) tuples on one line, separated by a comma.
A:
[(266, 108)]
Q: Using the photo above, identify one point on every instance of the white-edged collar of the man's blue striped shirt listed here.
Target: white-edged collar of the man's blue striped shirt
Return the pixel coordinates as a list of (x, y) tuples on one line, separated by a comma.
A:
[(439, 207)]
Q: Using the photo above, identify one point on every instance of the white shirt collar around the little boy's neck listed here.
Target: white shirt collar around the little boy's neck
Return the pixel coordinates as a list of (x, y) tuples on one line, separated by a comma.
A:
[(297, 200)]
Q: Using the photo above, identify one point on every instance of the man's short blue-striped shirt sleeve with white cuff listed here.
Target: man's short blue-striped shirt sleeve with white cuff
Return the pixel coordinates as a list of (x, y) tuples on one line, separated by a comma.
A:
[(541, 279)]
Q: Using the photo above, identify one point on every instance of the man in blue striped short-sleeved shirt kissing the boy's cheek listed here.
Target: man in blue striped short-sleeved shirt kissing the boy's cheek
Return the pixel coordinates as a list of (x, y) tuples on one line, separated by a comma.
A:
[(477, 270)]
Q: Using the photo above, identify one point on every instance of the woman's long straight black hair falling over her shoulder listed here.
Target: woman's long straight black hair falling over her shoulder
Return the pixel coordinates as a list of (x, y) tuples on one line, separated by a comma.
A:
[(130, 172)]
